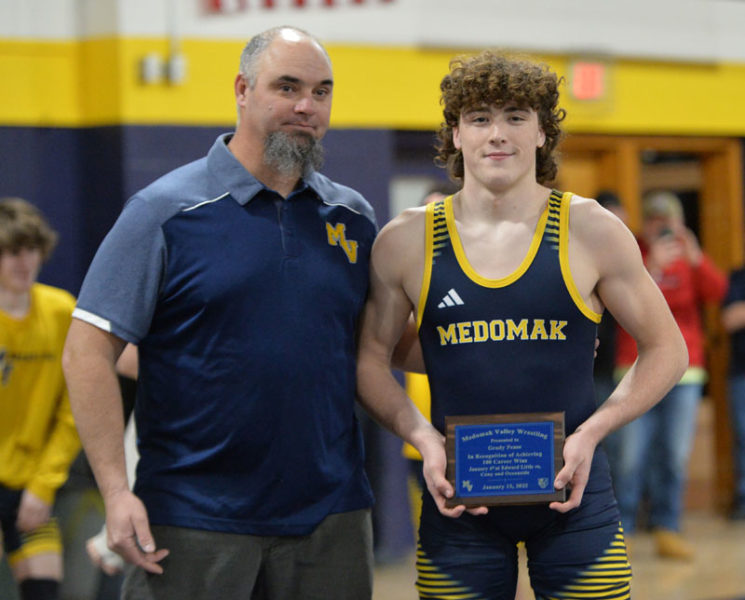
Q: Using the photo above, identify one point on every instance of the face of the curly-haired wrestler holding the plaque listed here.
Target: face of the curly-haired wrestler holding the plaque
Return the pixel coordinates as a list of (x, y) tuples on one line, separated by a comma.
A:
[(499, 144)]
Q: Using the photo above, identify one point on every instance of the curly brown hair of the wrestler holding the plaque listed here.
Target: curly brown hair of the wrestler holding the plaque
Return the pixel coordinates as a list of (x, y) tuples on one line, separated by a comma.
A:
[(488, 79)]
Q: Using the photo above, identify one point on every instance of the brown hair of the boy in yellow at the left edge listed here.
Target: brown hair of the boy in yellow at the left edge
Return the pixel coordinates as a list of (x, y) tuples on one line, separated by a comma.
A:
[(23, 226)]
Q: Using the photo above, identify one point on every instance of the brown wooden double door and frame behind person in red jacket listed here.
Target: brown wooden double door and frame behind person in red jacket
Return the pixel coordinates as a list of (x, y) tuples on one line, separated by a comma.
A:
[(708, 175)]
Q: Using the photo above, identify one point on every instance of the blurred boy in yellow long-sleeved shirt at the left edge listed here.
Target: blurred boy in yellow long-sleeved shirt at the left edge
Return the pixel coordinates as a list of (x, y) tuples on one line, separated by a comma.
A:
[(38, 439)]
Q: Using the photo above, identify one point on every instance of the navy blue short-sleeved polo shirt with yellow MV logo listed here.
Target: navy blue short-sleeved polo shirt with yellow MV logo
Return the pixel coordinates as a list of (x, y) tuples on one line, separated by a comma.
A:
[(244, 306)]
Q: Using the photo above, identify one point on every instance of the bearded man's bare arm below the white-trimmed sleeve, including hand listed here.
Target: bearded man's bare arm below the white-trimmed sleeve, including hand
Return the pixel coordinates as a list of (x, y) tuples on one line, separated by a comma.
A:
[(89, 360)]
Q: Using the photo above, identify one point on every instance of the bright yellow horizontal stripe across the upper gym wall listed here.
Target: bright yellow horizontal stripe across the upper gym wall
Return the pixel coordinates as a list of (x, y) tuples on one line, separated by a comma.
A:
[(96, 82)]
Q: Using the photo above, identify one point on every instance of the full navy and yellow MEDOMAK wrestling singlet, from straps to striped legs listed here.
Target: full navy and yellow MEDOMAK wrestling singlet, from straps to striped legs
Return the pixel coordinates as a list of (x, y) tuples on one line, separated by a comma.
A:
[(522, 343)]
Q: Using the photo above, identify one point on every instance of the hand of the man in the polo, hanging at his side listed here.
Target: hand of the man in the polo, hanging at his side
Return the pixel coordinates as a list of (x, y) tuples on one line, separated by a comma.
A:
[(128, 532)]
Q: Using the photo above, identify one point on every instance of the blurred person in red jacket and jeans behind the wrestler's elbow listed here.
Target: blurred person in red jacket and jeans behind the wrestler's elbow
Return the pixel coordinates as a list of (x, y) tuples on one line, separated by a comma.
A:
[(653, 450)]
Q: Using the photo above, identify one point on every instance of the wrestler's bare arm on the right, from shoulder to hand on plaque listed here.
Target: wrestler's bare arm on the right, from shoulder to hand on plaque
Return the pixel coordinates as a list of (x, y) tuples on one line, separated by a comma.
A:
[(608, 270)]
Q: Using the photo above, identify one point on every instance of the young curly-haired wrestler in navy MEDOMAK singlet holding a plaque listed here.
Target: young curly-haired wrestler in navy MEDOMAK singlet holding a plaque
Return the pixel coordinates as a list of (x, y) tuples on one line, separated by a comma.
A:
[(533, 269)]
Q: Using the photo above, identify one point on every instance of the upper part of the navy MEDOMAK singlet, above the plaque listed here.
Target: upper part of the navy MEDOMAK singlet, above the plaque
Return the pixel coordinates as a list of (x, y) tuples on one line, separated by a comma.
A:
[(523, 343)]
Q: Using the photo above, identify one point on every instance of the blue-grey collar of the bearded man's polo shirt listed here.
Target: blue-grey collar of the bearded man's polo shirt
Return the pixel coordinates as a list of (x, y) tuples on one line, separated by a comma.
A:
[(241, 184)]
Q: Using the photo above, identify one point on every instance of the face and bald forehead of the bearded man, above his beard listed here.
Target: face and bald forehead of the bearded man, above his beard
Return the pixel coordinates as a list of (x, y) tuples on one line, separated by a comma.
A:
[(291, 93)]
